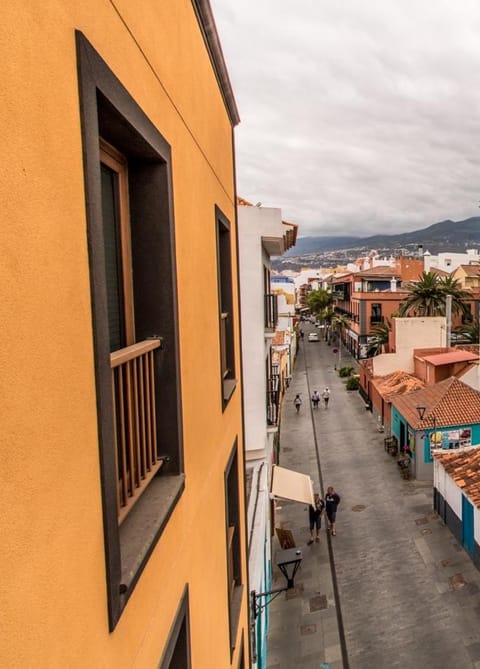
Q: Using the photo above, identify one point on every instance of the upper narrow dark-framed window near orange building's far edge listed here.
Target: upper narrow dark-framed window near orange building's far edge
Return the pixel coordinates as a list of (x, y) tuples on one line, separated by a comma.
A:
[(225, 301)]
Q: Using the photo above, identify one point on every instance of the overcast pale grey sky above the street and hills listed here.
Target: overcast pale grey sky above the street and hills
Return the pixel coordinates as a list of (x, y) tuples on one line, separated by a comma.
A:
[(356, 115)]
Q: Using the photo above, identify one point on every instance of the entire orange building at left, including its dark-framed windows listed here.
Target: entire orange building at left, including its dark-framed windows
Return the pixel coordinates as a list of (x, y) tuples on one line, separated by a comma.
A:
[(123, 498)]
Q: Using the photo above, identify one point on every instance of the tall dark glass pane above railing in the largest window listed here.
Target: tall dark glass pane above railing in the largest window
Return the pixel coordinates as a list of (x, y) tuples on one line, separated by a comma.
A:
[(113, 264)]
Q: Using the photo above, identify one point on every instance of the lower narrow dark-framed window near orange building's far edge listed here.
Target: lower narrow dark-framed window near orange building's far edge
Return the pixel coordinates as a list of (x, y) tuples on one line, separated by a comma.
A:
[(232, 513)]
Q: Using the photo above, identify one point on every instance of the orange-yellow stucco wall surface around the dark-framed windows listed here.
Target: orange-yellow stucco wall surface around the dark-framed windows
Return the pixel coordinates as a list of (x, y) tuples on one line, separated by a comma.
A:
[(54, 611)]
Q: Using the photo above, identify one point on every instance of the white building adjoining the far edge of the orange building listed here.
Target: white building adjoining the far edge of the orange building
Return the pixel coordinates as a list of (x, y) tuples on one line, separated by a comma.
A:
[(266, 353)]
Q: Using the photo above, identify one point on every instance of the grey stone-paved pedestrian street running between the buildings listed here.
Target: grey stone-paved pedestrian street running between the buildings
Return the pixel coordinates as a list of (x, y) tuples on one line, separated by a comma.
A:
[(393, 588)]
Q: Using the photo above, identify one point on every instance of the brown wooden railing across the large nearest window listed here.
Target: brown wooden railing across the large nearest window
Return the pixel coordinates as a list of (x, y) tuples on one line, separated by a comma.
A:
[(133, 383)]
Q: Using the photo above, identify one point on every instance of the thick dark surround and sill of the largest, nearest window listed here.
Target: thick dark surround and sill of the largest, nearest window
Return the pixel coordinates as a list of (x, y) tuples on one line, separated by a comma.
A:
[(107, 110)]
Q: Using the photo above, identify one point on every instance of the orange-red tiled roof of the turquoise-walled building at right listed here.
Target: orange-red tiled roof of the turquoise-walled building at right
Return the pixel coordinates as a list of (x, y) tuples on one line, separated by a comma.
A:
[(452, 402)]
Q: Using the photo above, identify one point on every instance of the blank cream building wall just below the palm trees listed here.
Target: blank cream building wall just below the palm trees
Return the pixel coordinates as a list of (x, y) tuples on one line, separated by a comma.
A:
[(411, 333)]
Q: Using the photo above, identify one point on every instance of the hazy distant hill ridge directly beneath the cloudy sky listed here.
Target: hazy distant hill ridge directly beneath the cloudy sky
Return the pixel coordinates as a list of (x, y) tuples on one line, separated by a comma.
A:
[(455, 236)]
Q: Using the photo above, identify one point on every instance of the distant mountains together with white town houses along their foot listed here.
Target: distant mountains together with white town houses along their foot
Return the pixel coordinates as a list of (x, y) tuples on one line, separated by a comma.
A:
[(453, 236)]
